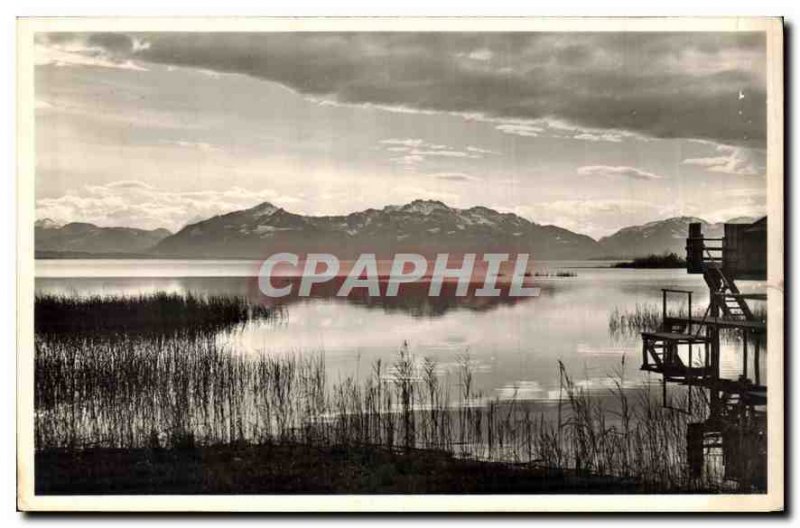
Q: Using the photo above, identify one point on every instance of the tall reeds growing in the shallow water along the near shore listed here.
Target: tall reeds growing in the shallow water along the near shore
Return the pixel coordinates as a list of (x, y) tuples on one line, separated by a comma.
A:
[(143, 392)]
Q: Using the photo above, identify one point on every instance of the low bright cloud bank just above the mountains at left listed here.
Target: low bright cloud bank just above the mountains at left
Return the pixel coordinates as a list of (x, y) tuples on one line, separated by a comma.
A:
[(131, 203)]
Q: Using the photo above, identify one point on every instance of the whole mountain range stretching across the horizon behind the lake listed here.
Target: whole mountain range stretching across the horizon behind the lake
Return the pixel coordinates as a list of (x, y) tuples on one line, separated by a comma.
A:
[(421, 226)]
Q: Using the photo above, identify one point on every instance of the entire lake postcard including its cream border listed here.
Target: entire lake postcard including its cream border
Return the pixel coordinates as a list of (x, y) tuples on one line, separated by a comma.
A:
[(289, 264)]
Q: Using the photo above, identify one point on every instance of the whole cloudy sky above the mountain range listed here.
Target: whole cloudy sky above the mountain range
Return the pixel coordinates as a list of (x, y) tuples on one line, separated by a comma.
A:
[(589, 131)]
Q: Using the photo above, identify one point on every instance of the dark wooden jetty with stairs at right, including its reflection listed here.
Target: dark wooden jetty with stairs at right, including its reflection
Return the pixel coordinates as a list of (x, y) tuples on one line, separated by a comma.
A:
[(686, 350)]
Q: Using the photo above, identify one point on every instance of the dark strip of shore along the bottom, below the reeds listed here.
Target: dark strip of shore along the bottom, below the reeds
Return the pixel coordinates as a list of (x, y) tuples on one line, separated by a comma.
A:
[(297, 468)]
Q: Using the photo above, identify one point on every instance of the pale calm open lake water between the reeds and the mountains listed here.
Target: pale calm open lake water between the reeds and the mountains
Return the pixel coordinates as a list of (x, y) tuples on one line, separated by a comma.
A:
[(514, 344)]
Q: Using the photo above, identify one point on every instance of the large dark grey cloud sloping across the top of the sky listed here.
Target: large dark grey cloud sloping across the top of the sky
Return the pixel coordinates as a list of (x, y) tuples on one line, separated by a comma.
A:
[(662, 85)]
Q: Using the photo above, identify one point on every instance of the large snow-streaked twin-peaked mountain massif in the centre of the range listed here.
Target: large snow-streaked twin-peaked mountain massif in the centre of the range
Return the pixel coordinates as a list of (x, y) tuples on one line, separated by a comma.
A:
[(421, 226)]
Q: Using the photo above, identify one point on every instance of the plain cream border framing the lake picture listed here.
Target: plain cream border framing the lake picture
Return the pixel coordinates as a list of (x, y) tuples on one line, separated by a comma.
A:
[(508, 503)]
